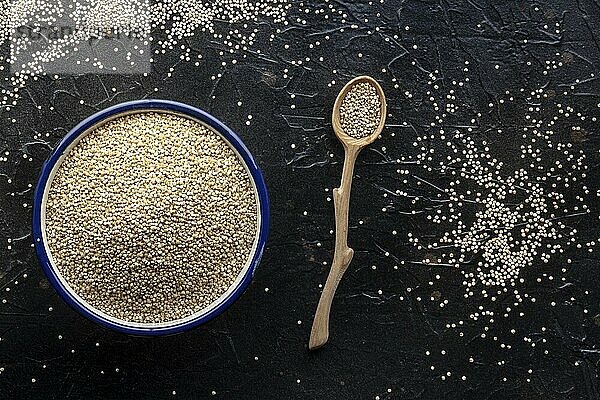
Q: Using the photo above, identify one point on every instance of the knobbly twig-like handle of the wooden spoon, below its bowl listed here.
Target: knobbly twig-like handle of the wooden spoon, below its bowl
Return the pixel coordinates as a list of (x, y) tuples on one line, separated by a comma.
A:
[(342, 254)]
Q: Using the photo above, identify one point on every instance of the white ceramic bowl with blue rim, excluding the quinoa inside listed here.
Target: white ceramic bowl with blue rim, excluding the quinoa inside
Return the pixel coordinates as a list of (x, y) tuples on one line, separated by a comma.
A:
[(51, 165)]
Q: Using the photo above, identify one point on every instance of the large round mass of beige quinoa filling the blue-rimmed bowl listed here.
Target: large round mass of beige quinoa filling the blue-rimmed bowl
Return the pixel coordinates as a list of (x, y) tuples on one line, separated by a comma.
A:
[(151, 217)]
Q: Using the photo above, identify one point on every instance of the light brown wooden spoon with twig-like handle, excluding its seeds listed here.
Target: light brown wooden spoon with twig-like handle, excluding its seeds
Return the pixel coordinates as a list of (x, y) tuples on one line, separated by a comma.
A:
[(341, 199)]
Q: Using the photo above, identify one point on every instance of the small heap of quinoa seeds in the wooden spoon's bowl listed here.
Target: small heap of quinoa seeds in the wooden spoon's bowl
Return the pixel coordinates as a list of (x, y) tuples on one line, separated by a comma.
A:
[(360, 111)]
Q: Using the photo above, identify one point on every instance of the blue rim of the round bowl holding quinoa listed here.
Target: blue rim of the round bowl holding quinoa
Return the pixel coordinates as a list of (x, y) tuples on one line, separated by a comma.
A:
[(149, 105)]
